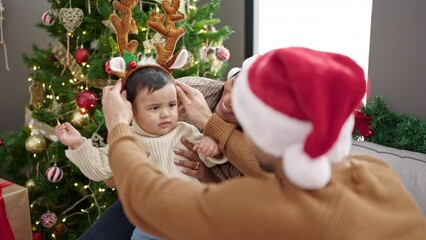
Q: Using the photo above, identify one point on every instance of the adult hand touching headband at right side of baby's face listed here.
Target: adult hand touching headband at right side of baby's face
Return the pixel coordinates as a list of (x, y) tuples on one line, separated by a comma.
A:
[(194, 104)]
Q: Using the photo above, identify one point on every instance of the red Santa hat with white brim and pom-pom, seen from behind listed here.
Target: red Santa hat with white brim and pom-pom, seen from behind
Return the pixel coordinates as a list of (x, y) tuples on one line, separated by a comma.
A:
[(297, 104)]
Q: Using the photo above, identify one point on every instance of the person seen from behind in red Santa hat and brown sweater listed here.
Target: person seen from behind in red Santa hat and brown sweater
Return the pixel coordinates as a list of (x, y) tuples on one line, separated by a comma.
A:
[(295, 106)]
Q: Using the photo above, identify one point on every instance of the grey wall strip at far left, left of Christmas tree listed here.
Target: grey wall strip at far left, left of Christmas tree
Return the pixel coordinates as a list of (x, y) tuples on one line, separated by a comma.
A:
[(20, 16)]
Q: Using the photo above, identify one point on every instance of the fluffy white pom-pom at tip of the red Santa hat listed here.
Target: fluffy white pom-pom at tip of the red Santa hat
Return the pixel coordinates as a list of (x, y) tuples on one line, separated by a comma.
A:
[(303, 171)]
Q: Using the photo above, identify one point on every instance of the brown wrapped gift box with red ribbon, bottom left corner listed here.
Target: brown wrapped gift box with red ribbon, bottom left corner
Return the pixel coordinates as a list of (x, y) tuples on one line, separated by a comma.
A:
[(15, 222)]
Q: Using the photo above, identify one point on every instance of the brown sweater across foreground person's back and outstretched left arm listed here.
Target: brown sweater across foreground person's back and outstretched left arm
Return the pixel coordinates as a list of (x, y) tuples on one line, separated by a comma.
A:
[(364, 201)]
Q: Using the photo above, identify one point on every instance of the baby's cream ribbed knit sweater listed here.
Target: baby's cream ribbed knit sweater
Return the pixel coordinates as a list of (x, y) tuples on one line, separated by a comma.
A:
[(93, 162)]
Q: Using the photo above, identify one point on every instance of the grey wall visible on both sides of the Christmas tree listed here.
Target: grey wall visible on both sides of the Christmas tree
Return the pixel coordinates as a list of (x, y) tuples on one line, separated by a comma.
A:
[(20, 33)]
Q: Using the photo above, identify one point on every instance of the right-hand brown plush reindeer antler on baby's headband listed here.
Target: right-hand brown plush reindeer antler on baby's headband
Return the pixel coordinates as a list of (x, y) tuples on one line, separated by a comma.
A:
[(168, 30)]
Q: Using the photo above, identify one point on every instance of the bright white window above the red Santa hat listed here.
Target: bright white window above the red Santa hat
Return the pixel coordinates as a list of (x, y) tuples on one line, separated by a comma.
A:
[(327, 25)]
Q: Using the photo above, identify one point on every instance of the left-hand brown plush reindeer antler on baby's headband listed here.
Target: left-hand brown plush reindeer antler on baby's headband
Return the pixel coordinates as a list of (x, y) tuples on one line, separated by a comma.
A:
[(125, 26)]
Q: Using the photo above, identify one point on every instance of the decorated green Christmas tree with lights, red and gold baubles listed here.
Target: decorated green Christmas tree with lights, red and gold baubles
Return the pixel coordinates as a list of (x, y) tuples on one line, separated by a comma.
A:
[(65, 86)]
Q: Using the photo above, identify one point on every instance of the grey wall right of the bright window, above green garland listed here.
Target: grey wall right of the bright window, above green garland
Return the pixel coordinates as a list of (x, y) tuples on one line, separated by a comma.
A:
[(398, 55)]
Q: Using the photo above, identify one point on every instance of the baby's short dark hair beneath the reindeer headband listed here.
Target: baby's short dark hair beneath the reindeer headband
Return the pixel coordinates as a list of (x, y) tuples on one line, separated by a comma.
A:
[(150, 77)]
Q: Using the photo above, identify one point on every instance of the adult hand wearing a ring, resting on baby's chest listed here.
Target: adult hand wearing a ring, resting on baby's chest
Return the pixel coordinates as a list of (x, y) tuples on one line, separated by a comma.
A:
[(194, 167)]
